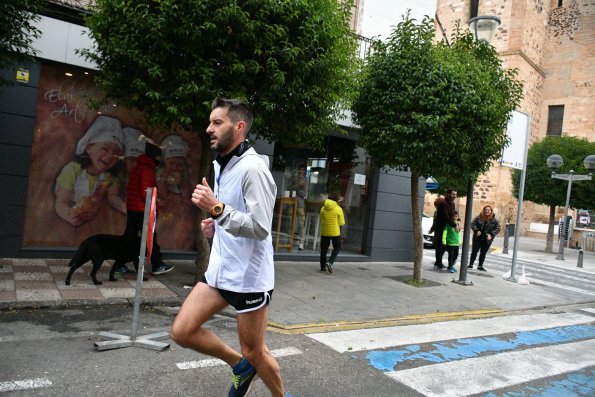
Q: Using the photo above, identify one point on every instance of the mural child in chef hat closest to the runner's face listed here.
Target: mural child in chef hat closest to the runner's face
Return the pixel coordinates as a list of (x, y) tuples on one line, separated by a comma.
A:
[(172, 177)]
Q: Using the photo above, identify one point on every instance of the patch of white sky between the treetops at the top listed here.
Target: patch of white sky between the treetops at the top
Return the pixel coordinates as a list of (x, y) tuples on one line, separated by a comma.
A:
[(380, 16)]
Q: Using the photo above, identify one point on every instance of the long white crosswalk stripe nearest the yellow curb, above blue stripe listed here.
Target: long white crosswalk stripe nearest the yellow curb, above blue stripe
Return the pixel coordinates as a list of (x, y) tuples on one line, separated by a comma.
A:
[(380, 338)]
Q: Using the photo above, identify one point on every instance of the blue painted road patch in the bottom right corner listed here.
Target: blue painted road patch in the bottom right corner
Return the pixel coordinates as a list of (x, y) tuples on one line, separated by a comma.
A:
[(577, 384)]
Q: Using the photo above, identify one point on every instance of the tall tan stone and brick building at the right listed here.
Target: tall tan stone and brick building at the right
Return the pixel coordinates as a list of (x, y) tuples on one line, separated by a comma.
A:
[(552, 44)]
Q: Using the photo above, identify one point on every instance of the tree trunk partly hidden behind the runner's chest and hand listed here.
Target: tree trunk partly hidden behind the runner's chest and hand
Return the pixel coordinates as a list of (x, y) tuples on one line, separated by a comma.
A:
[(203, 249)]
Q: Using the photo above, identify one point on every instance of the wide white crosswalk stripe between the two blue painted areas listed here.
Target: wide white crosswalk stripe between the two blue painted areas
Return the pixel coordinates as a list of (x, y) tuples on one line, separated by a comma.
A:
[(481, 374)]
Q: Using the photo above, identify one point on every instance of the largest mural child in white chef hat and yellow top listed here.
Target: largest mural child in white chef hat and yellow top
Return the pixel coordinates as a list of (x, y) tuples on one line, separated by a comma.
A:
[(84, 183)]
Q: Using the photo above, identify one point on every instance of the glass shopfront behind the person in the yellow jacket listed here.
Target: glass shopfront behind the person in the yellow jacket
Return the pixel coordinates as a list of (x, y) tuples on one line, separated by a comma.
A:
[(305, 178)]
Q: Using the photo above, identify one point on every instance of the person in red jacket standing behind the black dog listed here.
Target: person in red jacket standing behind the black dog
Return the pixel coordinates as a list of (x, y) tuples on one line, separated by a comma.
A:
[(142, 176)]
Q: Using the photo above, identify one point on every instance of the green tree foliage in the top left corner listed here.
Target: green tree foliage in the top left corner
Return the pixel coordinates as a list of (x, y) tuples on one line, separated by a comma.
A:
[(17, 32)]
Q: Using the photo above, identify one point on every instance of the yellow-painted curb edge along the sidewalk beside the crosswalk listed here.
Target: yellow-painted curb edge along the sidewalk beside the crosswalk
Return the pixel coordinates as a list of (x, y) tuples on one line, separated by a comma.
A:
[(411, 319)]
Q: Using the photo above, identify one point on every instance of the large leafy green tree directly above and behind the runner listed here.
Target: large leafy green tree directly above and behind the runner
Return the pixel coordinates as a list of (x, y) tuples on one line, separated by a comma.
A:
[(293, 61)]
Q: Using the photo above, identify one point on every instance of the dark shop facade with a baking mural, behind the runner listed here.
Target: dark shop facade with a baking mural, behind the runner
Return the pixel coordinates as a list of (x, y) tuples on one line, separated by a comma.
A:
[(51, 202)]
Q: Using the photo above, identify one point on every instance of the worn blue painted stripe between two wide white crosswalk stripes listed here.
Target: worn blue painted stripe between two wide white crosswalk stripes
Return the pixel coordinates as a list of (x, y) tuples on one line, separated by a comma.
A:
[(390, 360)]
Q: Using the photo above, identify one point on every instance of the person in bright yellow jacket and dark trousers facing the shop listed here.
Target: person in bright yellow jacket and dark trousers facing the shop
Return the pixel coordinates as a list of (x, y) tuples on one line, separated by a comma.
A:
[(331, 221)]
